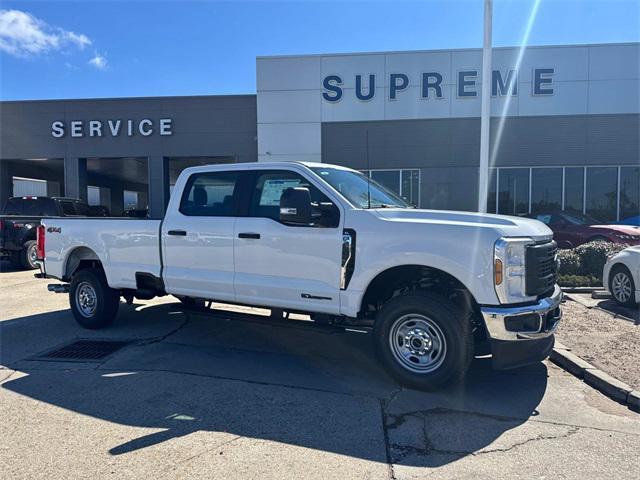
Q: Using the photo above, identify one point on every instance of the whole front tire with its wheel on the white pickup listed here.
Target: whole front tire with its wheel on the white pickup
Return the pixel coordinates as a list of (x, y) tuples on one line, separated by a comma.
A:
[(435, 316)]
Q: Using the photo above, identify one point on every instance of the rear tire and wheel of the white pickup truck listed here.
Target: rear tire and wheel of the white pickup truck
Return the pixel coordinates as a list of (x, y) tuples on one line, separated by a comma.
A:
[(92, 283)]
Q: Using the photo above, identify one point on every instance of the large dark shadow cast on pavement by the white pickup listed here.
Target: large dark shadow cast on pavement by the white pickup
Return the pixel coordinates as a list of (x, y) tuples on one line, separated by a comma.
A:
[(292, 385)]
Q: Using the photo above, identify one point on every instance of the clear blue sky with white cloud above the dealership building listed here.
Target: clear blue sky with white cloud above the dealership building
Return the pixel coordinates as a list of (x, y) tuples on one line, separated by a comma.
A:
[(55, 49)]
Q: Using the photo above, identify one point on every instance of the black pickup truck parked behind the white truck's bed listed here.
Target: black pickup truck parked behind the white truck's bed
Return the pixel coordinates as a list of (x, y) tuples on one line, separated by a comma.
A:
[(19, 219)]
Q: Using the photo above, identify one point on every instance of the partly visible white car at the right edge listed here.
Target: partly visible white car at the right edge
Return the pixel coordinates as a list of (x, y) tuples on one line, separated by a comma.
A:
[(621, 276)]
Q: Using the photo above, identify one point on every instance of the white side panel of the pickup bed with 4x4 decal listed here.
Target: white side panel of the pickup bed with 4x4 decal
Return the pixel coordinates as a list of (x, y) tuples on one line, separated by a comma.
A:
[(125, 246)]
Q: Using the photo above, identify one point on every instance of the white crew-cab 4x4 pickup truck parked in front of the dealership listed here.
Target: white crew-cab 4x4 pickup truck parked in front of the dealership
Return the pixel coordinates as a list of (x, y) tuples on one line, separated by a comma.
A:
[(434, 288)]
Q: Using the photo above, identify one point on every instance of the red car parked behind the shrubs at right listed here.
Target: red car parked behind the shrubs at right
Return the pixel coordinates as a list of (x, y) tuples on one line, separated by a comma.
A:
[(573, 229)]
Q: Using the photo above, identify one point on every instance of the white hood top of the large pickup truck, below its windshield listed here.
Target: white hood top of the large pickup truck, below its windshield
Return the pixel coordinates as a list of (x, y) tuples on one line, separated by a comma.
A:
[(506, 226)]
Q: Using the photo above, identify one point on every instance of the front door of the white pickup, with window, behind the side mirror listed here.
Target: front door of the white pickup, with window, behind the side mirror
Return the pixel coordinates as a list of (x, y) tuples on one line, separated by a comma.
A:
[(286, 266)]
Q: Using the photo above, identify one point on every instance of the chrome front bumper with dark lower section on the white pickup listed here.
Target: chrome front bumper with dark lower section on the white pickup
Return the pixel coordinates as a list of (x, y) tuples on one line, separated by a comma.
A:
[(520, 335)]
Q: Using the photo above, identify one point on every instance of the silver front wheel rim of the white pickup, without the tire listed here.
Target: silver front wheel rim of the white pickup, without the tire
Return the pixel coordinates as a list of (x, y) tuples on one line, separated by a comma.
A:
[(417, 343)]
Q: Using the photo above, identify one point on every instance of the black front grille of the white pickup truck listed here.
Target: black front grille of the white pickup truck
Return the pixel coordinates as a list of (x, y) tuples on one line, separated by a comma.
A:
[(541, 268)]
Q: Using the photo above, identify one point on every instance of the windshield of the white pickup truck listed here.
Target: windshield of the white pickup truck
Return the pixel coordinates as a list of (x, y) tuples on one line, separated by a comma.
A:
[(360, 190)]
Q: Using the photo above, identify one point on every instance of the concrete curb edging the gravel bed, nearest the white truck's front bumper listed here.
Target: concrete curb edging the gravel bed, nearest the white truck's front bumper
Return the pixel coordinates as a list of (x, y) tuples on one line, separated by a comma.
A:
[(596, 378)]
